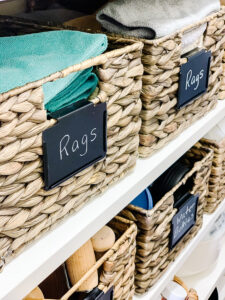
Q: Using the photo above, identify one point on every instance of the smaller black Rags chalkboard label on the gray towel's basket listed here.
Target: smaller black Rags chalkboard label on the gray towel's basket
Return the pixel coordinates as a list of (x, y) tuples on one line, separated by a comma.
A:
[(194, 77)]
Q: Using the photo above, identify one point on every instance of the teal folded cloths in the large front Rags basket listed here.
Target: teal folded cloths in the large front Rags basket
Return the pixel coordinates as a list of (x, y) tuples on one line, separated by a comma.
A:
[(31, 57)]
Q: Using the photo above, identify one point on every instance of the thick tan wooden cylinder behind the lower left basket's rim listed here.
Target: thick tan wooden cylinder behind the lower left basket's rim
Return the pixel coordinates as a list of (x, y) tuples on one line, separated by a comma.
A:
[(79, 263)]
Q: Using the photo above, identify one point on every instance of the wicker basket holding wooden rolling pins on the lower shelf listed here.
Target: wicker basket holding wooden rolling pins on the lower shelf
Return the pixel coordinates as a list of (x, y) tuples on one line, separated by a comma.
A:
[(116, 267)]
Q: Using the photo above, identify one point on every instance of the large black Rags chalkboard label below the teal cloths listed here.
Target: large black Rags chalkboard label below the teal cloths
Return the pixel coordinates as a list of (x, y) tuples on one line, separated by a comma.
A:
[(77, 141)]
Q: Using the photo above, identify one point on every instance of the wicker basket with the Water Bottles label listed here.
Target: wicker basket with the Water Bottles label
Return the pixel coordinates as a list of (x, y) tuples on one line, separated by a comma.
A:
[(154, 226)]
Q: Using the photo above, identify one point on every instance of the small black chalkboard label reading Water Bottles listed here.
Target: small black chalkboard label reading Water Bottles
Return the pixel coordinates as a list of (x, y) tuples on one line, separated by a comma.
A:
[(184, 220)]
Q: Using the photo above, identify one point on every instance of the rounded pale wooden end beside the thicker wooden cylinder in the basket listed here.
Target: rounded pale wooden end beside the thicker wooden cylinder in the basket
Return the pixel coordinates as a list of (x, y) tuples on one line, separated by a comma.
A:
[(103, 240)]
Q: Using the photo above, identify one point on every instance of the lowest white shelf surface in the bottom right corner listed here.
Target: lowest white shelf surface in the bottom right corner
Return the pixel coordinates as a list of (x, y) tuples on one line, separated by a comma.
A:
[(204, 283)]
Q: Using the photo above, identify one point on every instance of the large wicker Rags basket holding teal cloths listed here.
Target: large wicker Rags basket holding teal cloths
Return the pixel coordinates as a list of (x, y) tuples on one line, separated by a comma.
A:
[(26, 209)]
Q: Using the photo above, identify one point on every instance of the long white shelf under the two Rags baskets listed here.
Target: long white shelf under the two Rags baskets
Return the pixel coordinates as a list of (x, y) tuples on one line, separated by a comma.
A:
[(45, 255)]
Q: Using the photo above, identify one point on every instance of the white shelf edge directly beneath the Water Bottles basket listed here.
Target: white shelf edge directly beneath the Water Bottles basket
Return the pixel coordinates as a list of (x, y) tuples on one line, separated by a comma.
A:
[(155, 291)]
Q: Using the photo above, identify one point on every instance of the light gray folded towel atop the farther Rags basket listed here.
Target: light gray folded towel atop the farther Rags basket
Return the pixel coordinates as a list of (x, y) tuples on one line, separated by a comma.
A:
[(153, 18)]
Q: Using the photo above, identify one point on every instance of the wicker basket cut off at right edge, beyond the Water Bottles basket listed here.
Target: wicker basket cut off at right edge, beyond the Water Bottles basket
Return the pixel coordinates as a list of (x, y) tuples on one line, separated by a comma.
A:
[(217, 177)]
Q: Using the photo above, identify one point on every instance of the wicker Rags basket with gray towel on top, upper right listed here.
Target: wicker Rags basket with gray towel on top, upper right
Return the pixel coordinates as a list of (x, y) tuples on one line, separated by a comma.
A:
[(162, 59)]
